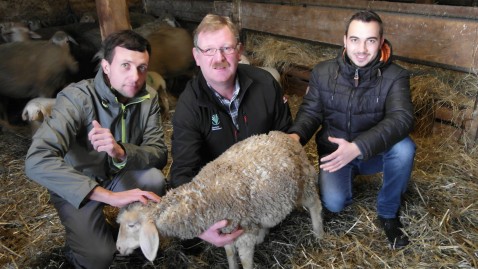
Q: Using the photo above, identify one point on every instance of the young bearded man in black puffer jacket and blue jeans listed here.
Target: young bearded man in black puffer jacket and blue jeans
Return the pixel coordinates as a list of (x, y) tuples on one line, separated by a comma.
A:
[(361, 102)]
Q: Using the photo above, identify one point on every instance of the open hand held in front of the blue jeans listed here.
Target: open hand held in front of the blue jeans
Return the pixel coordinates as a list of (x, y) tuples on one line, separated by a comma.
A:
[(345, 153)]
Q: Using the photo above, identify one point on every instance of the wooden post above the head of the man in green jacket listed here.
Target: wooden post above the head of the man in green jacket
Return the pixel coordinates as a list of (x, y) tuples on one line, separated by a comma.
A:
[(112, 16)]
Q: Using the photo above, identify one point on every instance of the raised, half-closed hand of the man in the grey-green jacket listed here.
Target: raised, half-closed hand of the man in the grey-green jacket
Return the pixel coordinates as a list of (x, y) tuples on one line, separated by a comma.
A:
[(102, 140)]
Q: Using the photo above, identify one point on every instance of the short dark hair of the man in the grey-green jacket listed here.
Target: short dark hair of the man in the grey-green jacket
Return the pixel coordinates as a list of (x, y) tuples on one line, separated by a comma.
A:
[(127, 39)]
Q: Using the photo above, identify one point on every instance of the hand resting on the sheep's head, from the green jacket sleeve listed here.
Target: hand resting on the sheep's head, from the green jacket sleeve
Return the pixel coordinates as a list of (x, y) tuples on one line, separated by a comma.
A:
[(120, 199)]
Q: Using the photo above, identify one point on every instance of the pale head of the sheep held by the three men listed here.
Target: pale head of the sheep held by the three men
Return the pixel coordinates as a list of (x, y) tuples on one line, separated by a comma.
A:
[(137, 229)]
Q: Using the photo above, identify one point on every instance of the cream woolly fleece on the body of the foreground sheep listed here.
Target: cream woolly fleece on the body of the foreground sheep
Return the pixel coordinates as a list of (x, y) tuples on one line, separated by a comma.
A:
[(254, 184)]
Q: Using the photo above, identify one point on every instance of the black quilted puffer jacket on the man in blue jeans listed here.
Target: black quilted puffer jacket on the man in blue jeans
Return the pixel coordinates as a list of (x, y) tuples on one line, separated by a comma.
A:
[(374, 110)]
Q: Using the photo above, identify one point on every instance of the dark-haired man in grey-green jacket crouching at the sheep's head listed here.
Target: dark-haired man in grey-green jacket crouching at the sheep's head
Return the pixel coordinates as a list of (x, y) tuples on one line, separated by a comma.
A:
[(103, 144)]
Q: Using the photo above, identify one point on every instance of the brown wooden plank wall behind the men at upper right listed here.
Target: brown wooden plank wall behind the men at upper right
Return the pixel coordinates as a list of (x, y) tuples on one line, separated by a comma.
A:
[(445, 36)]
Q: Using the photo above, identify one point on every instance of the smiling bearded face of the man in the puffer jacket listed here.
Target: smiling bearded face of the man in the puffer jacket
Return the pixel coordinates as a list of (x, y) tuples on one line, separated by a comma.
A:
[(363, 42)]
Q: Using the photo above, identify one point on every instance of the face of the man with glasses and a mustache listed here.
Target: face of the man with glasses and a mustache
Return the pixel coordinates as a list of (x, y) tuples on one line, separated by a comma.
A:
[(219, 70)]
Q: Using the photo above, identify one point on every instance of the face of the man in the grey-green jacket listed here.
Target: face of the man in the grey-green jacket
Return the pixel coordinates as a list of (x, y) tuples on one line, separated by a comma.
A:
[(127, 71)]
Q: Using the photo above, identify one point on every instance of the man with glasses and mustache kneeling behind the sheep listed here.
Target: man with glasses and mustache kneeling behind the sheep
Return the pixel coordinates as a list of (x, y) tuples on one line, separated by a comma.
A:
[(225, 103)]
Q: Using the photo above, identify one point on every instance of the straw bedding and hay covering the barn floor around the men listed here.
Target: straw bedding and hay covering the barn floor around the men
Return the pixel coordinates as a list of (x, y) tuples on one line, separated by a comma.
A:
[(440, 209)]
